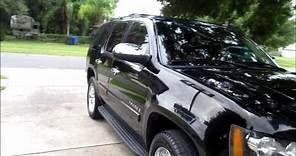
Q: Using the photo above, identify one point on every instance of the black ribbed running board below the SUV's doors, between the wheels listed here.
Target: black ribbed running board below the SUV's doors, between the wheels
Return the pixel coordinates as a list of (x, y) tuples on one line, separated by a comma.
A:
[(124, 132)]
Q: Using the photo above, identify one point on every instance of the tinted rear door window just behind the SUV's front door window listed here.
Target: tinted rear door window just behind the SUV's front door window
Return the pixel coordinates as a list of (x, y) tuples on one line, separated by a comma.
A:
[(117, 35)]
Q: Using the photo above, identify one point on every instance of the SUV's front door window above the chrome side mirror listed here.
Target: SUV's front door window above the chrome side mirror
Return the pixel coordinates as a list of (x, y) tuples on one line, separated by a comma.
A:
[(138, 37)]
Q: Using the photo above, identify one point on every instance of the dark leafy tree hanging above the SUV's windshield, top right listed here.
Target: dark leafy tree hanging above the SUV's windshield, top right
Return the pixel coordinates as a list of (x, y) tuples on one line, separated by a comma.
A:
[(265, 21)]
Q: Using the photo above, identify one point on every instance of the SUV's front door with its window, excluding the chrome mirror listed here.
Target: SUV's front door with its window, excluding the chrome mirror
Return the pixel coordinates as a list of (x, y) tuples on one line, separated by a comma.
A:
[(129, 93)]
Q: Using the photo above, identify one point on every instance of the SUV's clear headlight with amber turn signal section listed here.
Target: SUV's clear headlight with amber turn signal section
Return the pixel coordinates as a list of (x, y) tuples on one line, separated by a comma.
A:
[(245, 142)]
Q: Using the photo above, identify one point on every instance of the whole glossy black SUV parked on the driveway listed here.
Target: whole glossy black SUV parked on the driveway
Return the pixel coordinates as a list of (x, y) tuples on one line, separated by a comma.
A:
[(172, 87)]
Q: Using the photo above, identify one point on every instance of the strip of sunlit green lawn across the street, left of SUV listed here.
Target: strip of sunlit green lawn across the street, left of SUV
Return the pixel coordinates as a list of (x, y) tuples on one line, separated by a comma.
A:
[(38, 47)]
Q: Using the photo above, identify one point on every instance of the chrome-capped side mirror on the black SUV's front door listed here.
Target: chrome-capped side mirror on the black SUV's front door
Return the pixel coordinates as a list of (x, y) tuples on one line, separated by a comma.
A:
[(131, 52)]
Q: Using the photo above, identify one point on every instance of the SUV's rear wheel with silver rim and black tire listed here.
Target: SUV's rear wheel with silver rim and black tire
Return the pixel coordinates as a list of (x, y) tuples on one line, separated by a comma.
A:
[(93, 100)]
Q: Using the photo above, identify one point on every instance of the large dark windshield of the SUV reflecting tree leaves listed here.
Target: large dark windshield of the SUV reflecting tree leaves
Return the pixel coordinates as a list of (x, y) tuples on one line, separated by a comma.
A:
[(188, 43)]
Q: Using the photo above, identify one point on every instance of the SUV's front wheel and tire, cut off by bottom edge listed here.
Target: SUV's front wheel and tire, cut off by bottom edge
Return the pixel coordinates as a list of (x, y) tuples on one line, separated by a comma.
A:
[(173, 141)]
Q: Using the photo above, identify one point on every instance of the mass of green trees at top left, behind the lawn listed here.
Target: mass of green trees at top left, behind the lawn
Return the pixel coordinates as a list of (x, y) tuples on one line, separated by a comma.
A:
[(59, 16)]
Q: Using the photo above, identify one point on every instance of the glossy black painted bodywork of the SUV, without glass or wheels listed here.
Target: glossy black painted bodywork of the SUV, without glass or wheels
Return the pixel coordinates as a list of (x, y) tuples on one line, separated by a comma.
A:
[(203, 102)]
